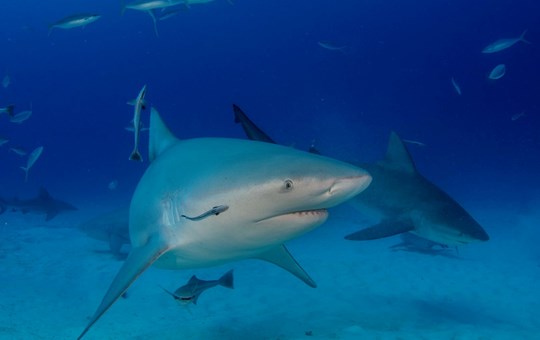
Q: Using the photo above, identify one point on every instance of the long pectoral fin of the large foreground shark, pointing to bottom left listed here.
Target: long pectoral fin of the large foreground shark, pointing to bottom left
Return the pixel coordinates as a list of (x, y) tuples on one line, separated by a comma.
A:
[(139, 259)]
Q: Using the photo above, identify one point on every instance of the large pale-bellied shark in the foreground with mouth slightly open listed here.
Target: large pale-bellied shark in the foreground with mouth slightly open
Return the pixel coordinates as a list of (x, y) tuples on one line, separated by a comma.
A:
[(208, 201)]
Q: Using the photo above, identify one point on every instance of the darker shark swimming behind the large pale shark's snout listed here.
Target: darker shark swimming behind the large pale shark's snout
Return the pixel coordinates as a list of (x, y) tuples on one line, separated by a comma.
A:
[(406, 201)]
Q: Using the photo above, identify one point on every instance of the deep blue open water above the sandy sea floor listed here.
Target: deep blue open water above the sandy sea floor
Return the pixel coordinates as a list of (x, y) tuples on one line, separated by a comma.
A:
[(394, 74)]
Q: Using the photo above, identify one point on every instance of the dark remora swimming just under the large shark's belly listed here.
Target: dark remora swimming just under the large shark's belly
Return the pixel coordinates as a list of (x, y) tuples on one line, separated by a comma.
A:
[(190, 292)]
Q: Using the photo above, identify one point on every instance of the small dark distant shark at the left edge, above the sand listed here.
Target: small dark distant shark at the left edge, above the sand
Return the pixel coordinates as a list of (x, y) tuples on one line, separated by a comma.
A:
[(44, 203)]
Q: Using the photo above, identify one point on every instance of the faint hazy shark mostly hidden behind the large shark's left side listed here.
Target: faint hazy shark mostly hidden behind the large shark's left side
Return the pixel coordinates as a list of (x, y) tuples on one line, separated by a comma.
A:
[(111, 227)]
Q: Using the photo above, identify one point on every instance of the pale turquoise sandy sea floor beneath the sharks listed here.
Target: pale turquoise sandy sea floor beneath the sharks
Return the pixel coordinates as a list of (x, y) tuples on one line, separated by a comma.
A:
[(53, 277)]
